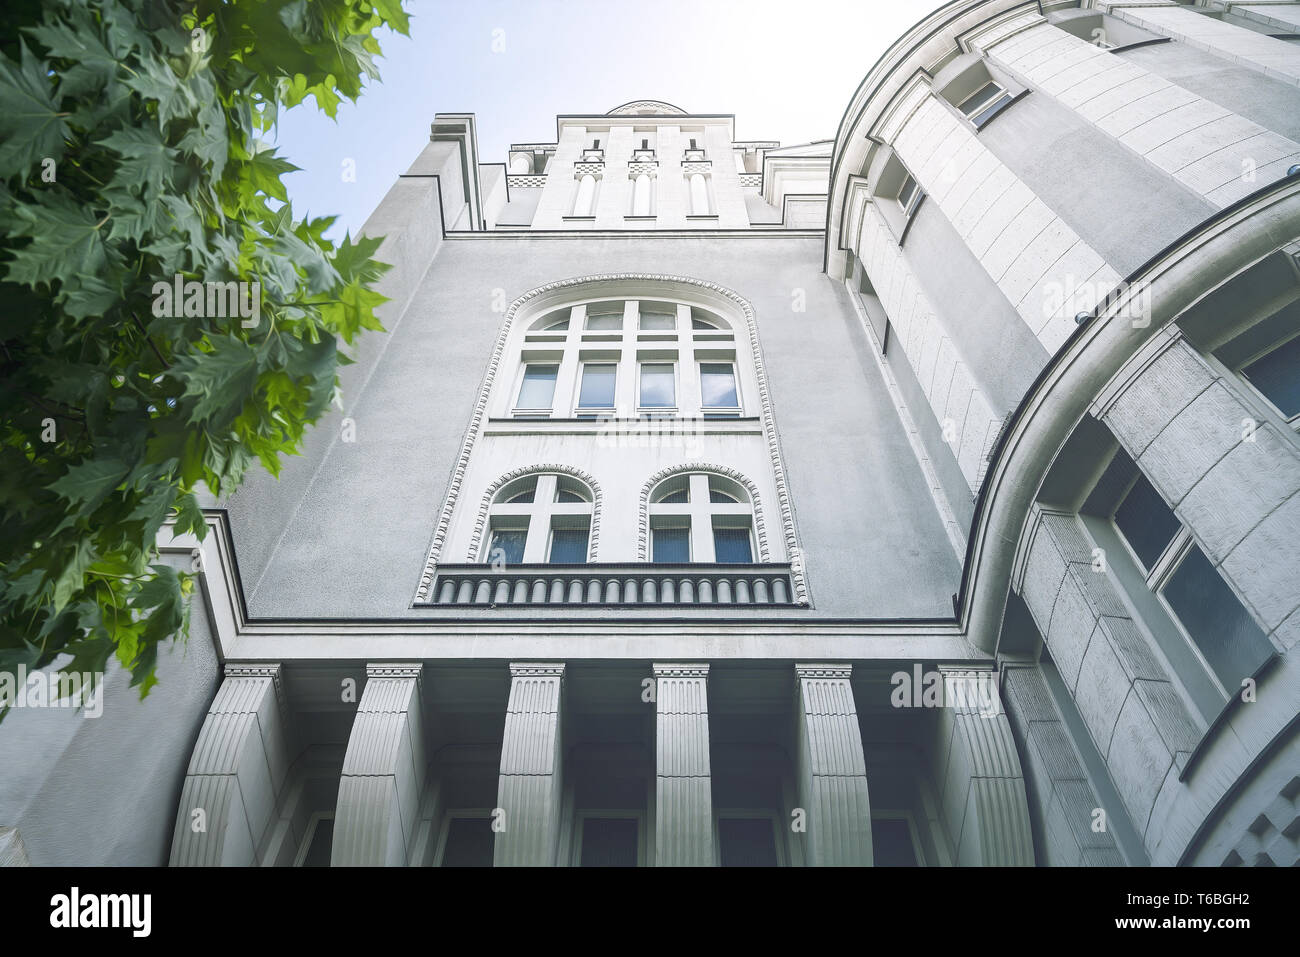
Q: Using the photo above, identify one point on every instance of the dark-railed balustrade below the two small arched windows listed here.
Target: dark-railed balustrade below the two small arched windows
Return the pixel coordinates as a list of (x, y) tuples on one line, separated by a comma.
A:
[(601, 584)]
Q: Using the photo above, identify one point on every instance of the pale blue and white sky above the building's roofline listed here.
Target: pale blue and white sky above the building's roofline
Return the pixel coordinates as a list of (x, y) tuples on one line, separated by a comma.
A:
[(786, 68)]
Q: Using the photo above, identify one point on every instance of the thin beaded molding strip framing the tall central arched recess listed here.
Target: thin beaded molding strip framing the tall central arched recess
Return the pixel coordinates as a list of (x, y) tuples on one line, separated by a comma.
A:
[(480, 414)]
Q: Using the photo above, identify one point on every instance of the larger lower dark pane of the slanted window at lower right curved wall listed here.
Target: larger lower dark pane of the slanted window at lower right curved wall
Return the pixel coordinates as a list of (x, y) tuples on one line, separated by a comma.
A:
[(1224, 631)]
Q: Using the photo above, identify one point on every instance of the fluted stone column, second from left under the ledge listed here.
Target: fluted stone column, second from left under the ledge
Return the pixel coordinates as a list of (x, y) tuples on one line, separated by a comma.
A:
[(384, 772)]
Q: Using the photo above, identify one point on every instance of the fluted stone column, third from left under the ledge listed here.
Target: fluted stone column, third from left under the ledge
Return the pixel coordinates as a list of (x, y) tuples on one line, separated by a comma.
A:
[(530, 794)]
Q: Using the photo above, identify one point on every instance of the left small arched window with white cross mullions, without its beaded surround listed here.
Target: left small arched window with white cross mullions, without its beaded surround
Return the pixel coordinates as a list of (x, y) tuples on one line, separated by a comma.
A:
[(540, 518)]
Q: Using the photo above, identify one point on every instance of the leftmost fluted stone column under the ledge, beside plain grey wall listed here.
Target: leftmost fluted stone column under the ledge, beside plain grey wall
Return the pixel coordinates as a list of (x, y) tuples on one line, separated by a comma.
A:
[(237, 773)]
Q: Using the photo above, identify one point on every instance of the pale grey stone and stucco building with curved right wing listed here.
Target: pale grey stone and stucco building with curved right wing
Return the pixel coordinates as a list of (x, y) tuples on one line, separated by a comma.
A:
[(929, 496)]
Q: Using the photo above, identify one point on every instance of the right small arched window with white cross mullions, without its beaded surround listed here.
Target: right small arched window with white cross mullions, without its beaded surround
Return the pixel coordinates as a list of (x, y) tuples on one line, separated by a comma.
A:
[(697, 517)]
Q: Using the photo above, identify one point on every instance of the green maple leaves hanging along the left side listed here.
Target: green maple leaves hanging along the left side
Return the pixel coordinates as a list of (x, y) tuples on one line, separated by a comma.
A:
[(132, 153)]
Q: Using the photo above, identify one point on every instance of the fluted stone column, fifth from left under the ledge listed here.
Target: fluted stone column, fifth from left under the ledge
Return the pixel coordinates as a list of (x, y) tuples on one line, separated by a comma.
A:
[(833, 773)]
